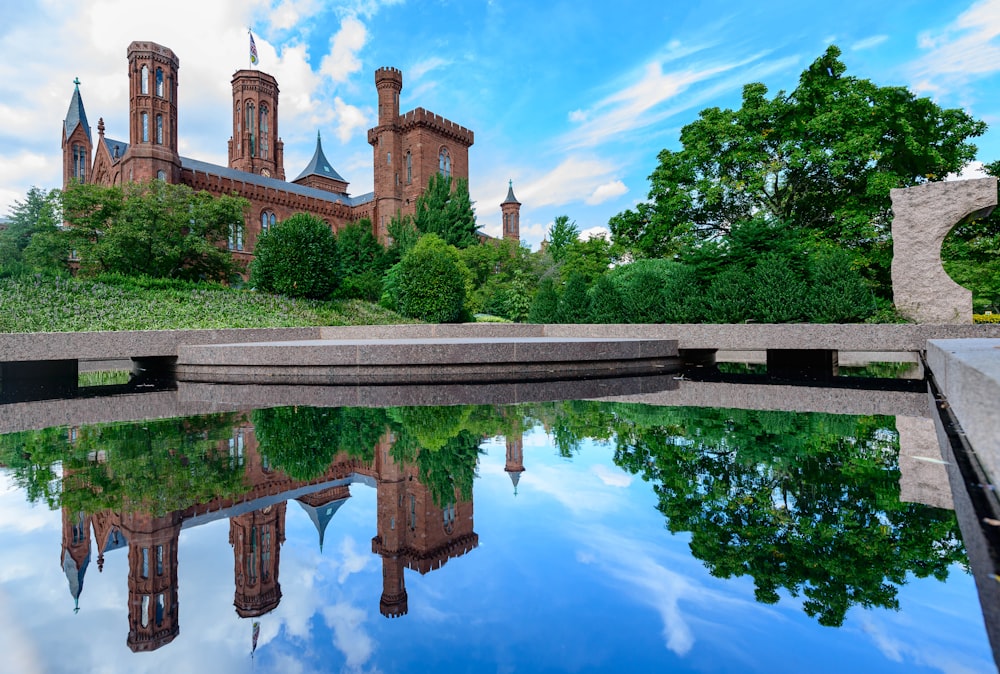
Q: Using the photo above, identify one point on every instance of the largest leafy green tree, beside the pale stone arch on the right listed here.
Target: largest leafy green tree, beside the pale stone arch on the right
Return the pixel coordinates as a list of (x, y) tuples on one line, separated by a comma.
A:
[(822, 157)]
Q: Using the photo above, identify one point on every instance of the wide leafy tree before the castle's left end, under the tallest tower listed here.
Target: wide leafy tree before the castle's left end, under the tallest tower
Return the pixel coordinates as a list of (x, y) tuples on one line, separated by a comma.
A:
[(153, 229)]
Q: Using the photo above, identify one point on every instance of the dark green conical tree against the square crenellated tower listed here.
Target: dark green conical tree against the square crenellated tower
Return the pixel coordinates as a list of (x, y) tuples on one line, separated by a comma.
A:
[(446, 210)]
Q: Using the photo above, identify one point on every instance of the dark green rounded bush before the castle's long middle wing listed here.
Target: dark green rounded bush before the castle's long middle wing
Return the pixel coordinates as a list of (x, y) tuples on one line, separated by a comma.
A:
[(297, 258)]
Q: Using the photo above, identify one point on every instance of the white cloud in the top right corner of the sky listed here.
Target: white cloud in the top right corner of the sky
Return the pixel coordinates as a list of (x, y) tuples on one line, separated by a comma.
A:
[(964, 50)]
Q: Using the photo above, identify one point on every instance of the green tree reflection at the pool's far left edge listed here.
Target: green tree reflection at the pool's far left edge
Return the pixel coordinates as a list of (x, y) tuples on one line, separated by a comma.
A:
[(156, 466)]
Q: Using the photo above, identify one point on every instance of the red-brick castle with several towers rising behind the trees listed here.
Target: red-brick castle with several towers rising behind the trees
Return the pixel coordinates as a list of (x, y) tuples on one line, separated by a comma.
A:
[(407, 149)]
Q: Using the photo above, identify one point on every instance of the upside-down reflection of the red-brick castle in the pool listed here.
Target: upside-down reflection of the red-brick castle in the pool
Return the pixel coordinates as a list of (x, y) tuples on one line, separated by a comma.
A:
[(412, 532)]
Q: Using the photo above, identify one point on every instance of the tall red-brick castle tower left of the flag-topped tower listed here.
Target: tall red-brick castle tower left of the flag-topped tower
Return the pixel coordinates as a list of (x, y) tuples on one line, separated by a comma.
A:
[(152, 154)]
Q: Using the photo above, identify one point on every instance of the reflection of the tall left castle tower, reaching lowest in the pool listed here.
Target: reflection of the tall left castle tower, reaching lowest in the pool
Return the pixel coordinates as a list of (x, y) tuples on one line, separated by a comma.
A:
[(152, 579)]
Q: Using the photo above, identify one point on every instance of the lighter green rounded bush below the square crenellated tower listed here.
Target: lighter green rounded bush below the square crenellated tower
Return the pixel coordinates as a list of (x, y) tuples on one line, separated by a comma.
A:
[(429, 282)]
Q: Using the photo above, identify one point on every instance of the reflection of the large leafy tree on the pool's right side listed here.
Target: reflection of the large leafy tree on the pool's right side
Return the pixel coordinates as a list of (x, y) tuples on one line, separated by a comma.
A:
[(804, 502)]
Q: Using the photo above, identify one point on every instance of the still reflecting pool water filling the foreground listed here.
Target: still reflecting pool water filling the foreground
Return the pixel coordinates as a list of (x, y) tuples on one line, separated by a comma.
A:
[(574, 536)]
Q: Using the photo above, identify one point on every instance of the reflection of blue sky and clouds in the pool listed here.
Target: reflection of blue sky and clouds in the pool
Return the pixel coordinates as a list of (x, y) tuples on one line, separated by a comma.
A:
[(575, 573)]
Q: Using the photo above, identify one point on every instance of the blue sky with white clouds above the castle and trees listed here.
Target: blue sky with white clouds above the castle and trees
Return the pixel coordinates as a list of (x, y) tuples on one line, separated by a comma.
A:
[(570, 100)]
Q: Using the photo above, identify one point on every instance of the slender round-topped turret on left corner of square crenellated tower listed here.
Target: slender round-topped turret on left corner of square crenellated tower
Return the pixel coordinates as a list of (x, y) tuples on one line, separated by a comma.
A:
[(385, 141)]
